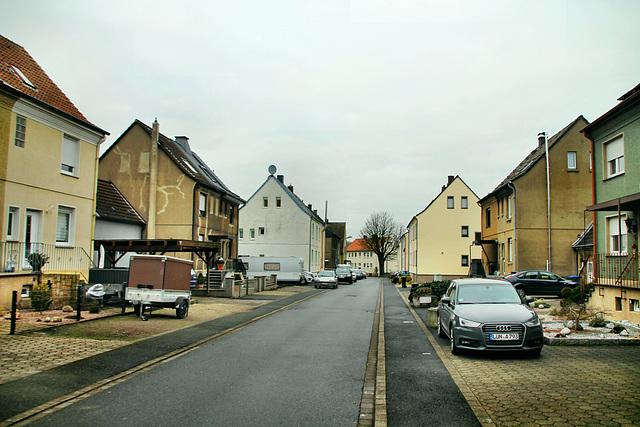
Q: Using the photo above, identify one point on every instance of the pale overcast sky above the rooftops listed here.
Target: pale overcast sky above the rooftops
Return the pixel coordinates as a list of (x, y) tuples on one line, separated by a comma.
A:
[(365, 104)]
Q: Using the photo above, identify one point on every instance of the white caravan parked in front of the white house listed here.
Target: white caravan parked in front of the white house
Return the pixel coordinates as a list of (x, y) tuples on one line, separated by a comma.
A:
[(288, 269)]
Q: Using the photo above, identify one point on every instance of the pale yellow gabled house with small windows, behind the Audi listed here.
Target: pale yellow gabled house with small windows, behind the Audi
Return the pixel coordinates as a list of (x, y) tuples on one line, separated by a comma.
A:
[(439, 242)]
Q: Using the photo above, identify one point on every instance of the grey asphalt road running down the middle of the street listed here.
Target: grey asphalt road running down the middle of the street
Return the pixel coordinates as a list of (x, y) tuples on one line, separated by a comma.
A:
[(302, 366)]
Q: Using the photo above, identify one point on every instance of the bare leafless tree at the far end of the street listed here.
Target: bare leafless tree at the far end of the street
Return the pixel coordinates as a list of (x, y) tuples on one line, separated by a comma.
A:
[(381, 234)]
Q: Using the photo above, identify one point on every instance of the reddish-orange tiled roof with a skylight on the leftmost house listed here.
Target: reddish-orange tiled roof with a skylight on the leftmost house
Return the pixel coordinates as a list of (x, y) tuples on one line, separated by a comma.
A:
[(20, 72)]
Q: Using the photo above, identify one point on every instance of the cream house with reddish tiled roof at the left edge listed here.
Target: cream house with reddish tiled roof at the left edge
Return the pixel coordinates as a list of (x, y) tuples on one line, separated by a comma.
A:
[(48, 172)]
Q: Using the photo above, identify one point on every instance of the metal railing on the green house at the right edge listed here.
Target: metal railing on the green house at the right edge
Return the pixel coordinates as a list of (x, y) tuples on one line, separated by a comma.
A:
[(617, 270)]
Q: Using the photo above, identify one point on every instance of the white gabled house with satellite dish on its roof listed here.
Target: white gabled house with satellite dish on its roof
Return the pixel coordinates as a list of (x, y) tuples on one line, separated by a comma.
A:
[(276, 222)]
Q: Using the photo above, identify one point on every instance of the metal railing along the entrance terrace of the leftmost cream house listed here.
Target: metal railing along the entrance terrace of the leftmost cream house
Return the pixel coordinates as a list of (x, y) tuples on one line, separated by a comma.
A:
[(14, 257)]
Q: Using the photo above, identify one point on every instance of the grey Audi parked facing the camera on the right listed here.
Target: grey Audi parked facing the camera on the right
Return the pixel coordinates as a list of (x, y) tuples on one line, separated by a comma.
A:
[(488, 314)]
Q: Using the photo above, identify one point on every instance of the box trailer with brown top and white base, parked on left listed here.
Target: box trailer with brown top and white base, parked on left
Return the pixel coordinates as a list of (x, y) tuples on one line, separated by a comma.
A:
[(159, 281)]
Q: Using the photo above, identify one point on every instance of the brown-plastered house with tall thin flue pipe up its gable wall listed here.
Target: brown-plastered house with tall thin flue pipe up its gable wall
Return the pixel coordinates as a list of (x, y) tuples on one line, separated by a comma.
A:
[(532, 218)]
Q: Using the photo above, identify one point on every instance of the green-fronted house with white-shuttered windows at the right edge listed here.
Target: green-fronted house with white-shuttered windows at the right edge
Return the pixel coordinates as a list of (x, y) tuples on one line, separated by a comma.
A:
[(616, 209)]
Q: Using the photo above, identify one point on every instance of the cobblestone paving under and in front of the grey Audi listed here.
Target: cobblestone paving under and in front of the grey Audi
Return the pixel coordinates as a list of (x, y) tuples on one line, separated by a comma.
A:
[(596, 385)]
